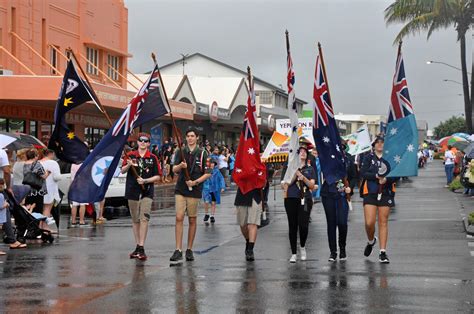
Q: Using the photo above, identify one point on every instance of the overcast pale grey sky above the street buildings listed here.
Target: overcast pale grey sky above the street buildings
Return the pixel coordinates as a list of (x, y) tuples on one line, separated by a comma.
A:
[(358, 50)]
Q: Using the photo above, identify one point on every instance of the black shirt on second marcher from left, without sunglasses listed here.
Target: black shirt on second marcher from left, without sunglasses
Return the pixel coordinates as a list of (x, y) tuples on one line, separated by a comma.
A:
[(197, 166)]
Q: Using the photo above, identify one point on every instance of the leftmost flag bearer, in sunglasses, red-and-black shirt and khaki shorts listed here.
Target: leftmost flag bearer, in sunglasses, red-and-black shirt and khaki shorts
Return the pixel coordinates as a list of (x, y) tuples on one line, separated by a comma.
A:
[(139, 190)]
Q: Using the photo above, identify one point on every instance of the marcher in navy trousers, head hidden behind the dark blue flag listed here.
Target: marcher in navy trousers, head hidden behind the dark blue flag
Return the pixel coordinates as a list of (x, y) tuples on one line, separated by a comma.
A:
[(336, 208)]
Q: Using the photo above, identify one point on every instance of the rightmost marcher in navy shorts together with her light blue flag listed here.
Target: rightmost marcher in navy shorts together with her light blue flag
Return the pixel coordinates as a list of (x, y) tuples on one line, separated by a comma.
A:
[(394, 156)]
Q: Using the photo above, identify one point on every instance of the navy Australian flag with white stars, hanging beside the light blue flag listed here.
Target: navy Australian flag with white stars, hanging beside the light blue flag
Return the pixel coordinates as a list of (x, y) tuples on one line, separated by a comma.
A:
[(325, 132)]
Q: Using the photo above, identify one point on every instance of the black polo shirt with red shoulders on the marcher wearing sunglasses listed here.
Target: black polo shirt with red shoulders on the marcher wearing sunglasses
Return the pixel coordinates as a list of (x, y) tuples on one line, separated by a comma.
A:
[(148, 166)]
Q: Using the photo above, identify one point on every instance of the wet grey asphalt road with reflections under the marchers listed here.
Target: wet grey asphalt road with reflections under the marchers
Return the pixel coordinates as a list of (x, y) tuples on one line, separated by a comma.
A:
[(88, 270)]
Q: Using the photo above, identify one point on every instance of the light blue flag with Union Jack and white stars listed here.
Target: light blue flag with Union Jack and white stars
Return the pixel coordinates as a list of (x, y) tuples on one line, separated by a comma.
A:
[(401, 137)]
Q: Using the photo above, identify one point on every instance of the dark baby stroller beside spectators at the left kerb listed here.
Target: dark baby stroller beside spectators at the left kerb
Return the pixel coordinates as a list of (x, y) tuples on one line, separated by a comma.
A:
[(27, 226)]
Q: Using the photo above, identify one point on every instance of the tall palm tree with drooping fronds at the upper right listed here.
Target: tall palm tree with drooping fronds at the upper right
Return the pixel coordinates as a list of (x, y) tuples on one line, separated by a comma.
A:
[(432, 15)]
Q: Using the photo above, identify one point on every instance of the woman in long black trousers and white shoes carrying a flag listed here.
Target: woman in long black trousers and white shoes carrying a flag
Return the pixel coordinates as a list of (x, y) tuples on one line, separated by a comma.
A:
[(298, 204)]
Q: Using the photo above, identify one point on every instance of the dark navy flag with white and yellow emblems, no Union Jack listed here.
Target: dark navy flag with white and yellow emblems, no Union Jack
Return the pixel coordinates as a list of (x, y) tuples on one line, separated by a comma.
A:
[(74, 92)]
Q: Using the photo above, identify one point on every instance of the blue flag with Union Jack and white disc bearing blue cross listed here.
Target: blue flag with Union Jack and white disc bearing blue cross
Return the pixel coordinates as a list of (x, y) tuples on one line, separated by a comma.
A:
[(94, 176)]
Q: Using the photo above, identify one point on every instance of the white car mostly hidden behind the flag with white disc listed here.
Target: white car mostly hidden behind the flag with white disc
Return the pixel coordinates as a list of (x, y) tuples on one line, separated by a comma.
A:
[(115, 193)]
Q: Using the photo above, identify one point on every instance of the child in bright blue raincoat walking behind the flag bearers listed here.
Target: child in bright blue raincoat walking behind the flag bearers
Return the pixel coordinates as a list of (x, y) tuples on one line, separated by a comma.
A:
[(211, 192)]
